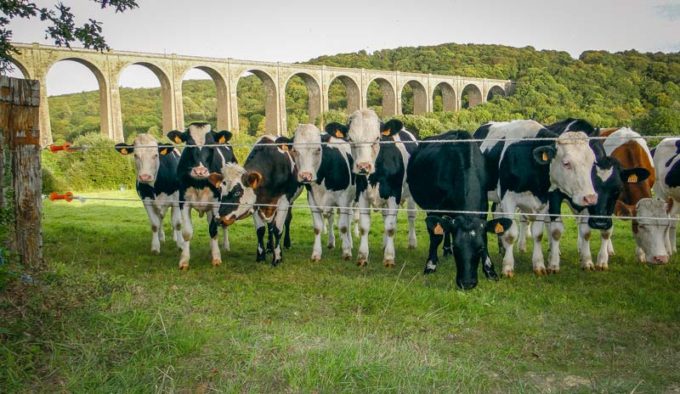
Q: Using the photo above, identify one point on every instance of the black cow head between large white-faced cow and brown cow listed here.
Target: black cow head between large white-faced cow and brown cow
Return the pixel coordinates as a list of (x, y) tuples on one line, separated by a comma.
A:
[(609, 180)]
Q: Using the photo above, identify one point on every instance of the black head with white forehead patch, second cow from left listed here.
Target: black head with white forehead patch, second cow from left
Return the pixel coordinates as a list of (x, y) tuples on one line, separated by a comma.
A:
[(197, 157)]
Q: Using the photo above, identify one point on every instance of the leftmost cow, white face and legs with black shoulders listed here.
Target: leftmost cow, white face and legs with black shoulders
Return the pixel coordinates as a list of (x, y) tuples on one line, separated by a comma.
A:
[(157, 185)]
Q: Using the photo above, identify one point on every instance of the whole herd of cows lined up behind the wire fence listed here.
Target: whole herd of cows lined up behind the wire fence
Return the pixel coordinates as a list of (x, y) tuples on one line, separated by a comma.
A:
[(519, 167)]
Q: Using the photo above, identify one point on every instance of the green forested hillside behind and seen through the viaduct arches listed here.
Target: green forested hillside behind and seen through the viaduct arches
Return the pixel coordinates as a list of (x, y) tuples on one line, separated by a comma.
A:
[(608, 89)]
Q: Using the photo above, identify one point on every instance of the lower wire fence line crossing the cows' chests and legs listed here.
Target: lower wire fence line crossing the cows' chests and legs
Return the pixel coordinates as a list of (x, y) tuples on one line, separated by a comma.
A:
[(535, 215)]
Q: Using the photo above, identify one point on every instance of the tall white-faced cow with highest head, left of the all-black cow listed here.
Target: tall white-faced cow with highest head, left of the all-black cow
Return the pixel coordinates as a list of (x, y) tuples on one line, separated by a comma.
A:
[(381, 177)]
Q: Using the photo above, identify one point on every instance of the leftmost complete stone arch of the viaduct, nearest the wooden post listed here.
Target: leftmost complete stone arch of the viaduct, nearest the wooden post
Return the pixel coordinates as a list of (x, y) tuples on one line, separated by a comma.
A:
[(103, 87)]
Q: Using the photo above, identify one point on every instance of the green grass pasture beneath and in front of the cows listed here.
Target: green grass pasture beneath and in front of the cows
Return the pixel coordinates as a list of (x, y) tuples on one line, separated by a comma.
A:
[(110, 317)]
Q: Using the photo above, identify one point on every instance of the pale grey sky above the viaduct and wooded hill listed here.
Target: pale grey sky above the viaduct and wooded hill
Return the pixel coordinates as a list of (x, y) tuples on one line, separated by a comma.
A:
[(297, 30)]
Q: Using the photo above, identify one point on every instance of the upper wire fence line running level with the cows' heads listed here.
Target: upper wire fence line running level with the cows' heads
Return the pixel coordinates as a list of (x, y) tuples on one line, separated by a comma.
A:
[(68, 147)]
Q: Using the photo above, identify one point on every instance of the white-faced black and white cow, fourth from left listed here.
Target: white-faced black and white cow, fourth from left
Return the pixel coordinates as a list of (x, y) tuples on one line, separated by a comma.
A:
[(324, 165)]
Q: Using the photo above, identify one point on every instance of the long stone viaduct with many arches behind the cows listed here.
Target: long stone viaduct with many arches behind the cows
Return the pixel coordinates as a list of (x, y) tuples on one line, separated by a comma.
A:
[(35, 61)]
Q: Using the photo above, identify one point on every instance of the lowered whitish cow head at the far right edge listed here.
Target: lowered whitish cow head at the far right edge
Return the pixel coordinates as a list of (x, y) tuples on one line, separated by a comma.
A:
[(650, 233)]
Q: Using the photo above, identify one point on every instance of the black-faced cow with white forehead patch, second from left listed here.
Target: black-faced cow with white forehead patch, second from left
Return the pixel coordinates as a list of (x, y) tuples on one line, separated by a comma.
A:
[(205, 152)]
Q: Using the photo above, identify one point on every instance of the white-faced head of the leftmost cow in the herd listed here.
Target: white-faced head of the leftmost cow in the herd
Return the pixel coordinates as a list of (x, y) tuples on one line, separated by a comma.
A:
[(147, 153)]
